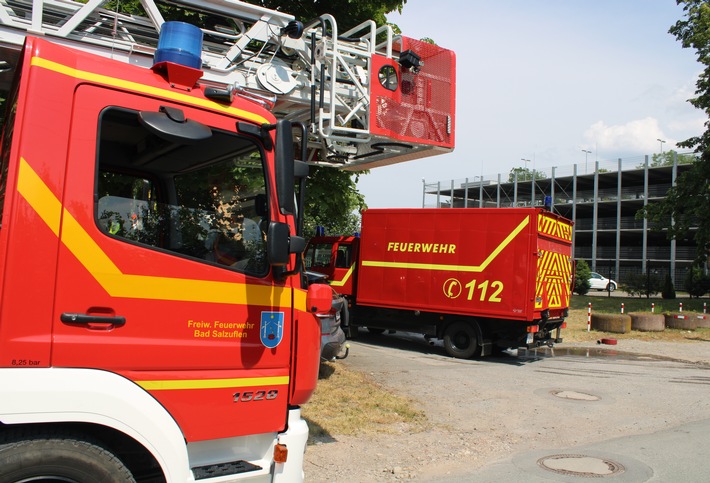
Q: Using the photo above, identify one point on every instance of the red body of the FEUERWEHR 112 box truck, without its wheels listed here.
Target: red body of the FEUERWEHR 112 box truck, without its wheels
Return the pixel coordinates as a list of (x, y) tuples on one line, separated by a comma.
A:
[(506, 263)]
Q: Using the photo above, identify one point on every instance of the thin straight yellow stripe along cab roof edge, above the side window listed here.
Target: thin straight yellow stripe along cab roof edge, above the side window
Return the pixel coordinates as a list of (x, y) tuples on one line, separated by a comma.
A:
[(142, 88)]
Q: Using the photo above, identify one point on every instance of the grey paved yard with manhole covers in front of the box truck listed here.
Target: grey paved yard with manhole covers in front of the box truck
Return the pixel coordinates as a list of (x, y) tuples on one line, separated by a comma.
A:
[(569, 414)]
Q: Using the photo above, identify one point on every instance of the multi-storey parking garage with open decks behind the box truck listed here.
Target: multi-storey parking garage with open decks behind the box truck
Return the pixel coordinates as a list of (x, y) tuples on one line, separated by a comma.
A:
[(603, 204)]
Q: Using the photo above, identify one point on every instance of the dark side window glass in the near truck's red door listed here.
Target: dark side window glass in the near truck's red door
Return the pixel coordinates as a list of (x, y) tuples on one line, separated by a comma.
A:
[(205, 201)]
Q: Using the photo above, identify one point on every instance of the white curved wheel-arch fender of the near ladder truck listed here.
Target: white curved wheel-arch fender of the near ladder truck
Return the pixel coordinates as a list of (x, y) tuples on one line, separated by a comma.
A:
[(54, 395)]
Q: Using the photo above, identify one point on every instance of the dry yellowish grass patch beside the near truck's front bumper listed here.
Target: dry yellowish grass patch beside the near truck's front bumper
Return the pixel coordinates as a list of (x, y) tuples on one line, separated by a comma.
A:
[(350, 403)]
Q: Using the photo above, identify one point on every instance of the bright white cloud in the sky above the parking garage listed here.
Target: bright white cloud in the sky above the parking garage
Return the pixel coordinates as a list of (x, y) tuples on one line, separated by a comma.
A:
[(640, 136)]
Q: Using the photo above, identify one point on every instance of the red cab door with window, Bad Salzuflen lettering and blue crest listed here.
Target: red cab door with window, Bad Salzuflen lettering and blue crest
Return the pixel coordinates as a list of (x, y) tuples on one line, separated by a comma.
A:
[(140, 288)]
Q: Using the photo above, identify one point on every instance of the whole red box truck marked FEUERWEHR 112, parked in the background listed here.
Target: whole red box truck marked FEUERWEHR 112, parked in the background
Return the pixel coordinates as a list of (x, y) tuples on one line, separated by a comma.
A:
[(479, 279)]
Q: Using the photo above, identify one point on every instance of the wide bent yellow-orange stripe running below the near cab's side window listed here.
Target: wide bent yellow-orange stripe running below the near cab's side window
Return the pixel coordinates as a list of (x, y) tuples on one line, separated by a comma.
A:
[(118, 284)]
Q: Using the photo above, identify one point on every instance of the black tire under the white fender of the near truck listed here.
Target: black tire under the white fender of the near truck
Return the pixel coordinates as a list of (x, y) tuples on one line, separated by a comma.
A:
[(46, 457)]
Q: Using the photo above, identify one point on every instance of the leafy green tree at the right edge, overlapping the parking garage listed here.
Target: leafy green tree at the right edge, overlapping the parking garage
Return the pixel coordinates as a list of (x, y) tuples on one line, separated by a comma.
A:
[(687, 204)]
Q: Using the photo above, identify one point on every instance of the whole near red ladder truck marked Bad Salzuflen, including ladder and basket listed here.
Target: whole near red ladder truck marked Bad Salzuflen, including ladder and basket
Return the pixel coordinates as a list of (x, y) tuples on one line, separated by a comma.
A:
[(155, 323)]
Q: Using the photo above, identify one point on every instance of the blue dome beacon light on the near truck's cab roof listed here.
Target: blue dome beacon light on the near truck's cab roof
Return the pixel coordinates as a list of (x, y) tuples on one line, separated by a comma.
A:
[(180, 43)]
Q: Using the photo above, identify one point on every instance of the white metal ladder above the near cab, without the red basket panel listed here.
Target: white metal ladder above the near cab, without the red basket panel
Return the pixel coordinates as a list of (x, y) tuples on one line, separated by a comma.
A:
[(307, 73)]
